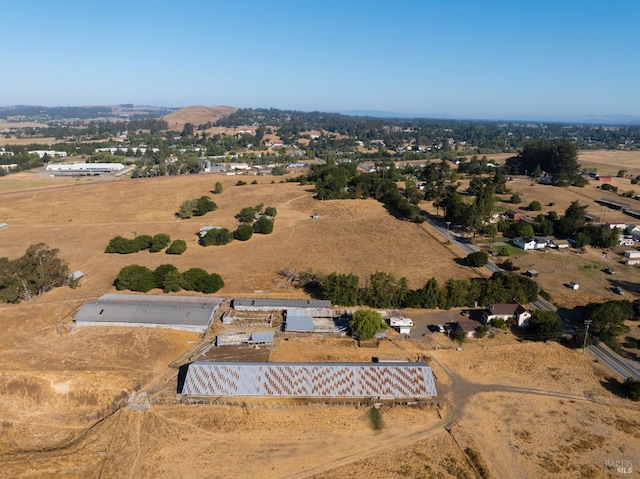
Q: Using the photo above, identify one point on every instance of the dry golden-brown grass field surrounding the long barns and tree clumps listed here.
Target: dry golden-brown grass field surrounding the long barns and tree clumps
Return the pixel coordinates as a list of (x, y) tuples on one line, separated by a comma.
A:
[(512, 409)]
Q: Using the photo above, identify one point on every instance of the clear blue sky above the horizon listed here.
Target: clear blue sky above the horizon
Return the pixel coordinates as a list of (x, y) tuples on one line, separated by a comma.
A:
[(461, 58)]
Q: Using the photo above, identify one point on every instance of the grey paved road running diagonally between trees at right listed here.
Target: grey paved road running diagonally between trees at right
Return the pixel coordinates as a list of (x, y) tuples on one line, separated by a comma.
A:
[(622, 367)]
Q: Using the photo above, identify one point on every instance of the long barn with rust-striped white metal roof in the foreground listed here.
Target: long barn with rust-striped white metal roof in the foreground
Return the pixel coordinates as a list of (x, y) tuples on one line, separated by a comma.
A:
[(317, 380)]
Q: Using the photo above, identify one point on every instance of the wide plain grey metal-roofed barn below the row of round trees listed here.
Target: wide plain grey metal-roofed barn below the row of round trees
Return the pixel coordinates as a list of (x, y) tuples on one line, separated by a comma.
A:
[(191, 313)]
